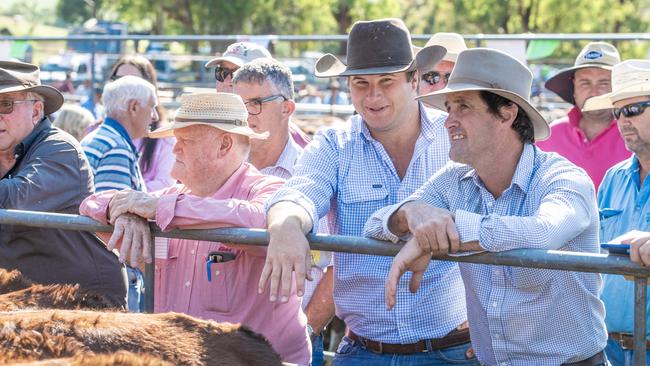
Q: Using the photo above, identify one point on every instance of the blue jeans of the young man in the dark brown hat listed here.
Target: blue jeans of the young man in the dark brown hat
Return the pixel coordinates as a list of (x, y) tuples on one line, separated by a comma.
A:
[(352, 353)]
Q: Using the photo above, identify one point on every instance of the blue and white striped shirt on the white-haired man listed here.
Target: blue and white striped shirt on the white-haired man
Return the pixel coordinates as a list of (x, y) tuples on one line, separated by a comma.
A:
[(113, 158)]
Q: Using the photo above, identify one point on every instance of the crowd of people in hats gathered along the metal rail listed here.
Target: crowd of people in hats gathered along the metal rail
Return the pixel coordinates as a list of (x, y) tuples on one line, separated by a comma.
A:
[(445, 154)]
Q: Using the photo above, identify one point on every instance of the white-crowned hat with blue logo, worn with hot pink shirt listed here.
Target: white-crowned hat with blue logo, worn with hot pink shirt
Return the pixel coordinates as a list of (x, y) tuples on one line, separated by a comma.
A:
[(601, 55)]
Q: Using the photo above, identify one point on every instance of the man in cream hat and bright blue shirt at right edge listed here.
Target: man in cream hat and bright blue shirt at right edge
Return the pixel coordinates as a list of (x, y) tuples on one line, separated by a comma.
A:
[(623, 199)]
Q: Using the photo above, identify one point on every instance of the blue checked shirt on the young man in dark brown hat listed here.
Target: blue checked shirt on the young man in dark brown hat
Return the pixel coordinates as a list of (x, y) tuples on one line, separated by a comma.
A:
[(349, 172)]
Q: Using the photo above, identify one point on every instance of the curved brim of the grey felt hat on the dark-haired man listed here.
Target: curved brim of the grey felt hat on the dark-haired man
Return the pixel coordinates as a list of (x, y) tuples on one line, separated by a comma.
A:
[(437, 100)]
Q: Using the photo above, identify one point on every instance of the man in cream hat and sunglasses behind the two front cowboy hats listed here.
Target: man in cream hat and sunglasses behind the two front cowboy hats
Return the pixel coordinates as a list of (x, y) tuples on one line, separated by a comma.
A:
[(434, 76)]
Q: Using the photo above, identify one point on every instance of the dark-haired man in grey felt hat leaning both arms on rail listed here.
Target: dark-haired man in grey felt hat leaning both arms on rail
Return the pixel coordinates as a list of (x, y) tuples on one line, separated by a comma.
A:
[(501, 193)]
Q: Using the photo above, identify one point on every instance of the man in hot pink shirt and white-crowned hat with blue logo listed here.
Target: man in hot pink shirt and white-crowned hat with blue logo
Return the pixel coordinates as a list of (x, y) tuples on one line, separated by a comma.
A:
[(588, 139)]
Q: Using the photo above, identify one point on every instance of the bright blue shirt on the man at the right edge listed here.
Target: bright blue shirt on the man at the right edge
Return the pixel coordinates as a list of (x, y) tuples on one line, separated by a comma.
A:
[(624, 206)]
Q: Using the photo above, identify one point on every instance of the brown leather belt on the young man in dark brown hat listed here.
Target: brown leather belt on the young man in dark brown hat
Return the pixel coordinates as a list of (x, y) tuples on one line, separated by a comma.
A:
[(454, 338)]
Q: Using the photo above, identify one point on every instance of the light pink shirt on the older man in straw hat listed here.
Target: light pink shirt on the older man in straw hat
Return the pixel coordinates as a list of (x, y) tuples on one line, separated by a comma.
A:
[(181, 283)]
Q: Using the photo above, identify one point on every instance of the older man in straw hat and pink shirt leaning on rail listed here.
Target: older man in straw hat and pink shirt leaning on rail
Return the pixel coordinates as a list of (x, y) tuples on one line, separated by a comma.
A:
[(218, 189)]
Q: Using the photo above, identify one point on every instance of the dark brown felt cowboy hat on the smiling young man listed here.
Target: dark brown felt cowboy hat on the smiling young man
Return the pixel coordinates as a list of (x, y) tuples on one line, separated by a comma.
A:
[(374, 47)]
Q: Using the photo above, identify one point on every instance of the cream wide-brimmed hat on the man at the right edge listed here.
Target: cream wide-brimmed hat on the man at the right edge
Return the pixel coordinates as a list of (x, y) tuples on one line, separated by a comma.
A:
[(630, 78)]
